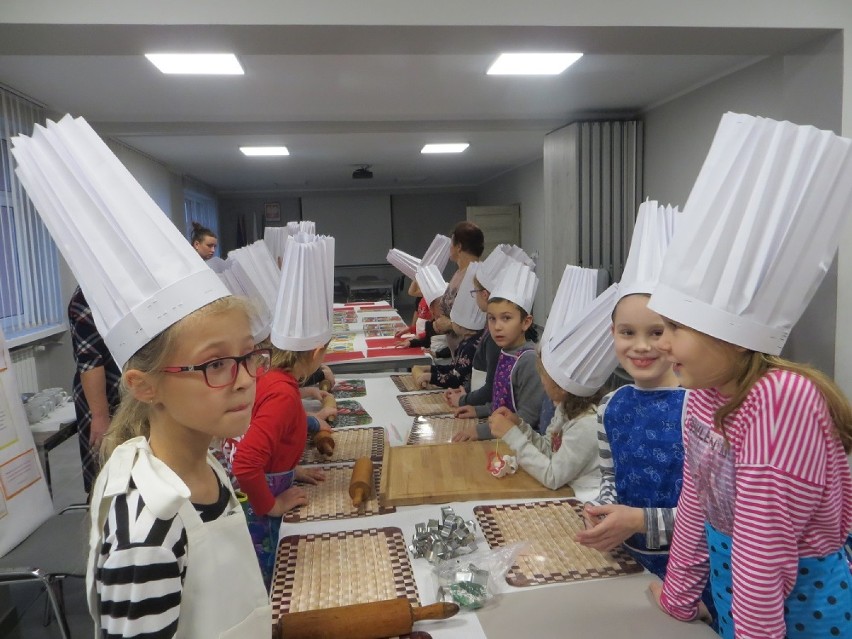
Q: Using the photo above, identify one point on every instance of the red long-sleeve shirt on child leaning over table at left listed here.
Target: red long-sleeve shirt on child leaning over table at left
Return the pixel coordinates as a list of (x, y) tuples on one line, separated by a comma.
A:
[(275, 438)]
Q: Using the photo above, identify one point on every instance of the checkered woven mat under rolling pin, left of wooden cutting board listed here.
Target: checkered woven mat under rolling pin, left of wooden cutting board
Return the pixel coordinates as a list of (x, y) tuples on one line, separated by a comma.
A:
[(330, 499)]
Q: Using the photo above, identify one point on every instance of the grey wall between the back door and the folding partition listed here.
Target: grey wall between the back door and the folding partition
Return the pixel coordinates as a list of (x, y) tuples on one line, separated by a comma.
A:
[(523, 186)]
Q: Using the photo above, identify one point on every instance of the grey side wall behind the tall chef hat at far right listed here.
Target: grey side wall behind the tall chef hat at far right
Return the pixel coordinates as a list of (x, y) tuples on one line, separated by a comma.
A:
[(803, 86)]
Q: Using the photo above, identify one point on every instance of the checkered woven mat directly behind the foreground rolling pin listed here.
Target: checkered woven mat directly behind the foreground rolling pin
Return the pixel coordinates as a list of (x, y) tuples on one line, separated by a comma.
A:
[(313, 572)]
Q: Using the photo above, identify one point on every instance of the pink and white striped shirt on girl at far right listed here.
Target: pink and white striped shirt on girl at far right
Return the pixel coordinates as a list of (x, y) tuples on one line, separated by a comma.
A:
[(782, 489)]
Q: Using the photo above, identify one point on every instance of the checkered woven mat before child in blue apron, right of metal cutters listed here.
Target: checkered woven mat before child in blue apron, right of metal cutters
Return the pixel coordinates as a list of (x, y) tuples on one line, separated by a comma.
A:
[(553, 556)]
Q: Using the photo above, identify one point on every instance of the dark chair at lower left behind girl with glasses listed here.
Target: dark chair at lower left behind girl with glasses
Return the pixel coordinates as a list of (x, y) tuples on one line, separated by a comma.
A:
[(55, 550)]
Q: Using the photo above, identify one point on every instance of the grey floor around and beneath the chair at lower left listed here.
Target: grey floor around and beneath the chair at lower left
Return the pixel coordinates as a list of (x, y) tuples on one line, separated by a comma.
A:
[(29, 599)]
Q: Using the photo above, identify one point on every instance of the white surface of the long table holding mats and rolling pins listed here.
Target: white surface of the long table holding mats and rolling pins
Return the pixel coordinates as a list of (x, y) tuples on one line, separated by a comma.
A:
[(612, 607)]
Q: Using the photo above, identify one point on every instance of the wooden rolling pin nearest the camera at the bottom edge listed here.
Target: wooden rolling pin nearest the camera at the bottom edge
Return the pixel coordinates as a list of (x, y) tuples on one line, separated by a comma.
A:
[(376, 620)]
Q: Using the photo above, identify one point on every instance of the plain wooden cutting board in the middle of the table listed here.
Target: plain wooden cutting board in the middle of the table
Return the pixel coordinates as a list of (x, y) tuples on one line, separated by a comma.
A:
[(442, 473)]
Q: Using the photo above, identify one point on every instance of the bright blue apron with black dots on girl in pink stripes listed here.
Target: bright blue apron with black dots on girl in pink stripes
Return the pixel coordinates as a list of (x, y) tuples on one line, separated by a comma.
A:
[(820, 604)]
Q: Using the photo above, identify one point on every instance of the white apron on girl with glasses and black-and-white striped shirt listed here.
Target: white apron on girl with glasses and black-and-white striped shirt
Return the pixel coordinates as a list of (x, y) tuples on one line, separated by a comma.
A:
[(223, 593)]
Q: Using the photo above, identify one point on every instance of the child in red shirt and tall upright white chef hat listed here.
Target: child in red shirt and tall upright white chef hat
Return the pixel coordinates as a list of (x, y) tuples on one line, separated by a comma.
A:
[(265, 459)]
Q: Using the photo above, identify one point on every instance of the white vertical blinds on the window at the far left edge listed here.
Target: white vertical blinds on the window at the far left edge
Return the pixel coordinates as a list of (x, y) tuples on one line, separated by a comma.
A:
[(30, 298)]
